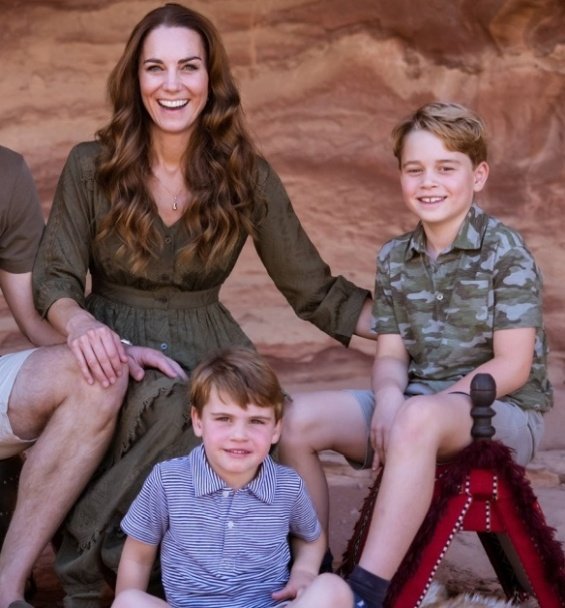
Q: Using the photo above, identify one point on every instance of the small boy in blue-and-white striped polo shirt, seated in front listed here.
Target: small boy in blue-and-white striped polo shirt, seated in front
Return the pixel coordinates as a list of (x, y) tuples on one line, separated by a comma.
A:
[(223, 514)]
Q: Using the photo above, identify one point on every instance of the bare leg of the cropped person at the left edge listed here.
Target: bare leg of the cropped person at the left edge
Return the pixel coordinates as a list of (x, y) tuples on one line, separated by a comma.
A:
[(74, 423)]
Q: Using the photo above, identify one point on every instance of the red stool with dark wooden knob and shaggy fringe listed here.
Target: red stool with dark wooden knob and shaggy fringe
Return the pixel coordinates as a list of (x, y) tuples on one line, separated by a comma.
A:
[(483, 490)]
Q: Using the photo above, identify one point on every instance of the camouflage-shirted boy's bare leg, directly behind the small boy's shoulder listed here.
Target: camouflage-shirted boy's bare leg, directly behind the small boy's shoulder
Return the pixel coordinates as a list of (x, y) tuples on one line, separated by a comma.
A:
[(317, 421)]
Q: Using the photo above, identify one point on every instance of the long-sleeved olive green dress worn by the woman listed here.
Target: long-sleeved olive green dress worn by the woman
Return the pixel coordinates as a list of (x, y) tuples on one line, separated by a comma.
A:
[(173, 307)]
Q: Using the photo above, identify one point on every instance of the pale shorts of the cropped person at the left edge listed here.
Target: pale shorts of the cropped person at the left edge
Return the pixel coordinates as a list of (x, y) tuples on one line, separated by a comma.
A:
[(10, 366)]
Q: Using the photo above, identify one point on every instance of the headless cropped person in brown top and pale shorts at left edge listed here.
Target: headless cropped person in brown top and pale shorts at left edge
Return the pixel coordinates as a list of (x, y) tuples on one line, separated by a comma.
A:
[(46, 406)]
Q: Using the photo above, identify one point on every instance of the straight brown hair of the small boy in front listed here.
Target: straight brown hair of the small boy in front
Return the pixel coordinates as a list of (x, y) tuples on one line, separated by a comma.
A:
[(241, 374)]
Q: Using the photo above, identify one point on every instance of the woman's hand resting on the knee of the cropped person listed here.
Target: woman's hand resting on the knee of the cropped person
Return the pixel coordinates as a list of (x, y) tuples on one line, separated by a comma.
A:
[(98, 350)]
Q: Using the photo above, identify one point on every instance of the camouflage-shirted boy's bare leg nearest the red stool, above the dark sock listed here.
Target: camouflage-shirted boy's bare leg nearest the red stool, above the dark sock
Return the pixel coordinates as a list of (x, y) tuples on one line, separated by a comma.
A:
[(426, 429)]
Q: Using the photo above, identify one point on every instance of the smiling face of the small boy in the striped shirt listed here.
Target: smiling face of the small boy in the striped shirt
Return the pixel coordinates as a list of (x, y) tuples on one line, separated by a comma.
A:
[(236, 441)]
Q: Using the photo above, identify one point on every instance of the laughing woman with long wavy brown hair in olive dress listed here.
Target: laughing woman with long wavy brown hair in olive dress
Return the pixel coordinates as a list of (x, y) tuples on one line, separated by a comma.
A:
[(158, 209)]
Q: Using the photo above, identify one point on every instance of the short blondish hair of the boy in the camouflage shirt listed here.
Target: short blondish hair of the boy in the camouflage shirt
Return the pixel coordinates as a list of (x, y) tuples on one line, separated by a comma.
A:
[(459, 128)]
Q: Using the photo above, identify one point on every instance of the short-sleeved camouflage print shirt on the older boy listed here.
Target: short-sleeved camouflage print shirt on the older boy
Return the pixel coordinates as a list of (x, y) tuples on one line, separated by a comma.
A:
[(447, 310)]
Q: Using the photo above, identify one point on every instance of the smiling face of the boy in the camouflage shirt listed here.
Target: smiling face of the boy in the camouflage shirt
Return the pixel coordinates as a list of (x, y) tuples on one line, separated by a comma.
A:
[(438, 185)]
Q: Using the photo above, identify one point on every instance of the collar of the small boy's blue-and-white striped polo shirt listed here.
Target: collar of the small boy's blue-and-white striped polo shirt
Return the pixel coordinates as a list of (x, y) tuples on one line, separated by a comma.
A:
[(207, 481)]
